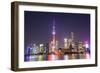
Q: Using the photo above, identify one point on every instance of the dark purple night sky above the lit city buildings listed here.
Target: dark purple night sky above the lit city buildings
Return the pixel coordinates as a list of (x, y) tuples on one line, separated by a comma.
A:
[(38, 26)]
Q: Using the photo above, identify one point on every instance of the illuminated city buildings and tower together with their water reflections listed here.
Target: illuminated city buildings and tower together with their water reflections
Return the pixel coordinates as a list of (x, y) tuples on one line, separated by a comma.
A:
[(71, 49)]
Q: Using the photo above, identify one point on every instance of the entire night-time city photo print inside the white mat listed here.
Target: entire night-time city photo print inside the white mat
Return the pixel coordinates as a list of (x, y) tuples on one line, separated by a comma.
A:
[(49, 41)]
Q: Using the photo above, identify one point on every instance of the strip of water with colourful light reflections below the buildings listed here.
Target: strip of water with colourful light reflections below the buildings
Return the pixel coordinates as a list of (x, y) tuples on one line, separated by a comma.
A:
[(52, 57)]
